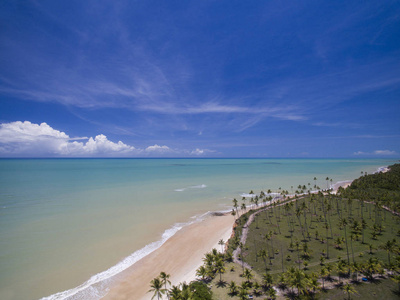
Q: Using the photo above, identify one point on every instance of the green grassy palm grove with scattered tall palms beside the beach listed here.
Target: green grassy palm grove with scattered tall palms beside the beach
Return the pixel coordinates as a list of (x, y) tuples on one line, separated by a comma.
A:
[(297, 246)]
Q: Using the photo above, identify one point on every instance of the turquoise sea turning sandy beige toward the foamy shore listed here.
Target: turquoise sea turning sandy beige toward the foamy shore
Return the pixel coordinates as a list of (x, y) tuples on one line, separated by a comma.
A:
[(62, 221)]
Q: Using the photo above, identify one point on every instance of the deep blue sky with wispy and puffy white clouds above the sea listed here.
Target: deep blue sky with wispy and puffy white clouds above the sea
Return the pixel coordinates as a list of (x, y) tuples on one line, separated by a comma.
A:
[(200, 78)]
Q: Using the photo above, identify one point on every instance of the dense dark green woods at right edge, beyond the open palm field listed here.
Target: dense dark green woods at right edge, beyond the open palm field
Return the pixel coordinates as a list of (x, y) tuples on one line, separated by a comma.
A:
[(382, 188)]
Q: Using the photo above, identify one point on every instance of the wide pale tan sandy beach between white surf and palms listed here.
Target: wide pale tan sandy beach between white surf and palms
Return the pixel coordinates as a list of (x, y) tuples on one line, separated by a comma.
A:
[(180, 256)]
